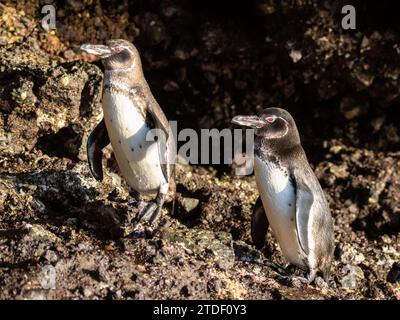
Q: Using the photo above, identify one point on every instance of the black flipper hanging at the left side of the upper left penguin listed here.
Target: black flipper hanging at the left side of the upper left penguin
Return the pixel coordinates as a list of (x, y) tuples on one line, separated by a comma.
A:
[(97, 141)]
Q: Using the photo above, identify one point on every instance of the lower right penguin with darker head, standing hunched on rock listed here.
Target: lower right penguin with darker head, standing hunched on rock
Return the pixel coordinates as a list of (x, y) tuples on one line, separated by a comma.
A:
[(291, 199)]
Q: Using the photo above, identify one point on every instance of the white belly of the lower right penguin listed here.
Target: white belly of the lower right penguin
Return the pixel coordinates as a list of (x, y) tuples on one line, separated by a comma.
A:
[(278, 198)]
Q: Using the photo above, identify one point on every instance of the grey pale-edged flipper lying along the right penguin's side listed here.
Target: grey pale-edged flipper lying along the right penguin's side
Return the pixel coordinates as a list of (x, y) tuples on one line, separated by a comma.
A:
[(304, 202)]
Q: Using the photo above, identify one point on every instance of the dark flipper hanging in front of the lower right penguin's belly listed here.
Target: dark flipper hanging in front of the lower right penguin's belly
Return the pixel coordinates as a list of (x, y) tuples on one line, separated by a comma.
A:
[(259, 224)]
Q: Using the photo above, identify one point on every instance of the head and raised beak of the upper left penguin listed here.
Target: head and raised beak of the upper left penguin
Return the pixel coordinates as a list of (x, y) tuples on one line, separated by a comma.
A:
[(116, 54)]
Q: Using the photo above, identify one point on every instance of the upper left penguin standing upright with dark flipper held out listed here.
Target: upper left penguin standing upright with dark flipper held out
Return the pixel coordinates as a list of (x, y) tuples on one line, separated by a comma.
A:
[(134, 124)]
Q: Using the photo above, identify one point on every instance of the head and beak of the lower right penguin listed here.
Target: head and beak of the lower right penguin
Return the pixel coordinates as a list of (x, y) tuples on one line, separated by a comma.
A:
[(271, 124)]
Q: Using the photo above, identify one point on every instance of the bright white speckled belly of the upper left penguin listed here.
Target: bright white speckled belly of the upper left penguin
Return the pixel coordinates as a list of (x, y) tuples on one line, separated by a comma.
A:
[(138, 159)]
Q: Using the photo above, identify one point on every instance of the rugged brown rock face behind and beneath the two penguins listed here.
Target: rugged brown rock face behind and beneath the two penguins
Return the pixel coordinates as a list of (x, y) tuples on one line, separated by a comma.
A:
[(64, 235)]
